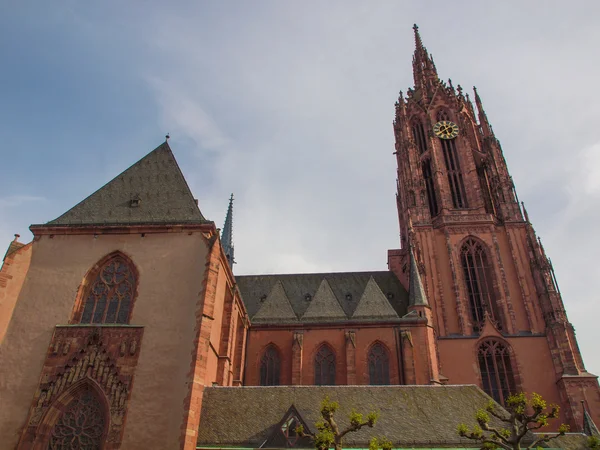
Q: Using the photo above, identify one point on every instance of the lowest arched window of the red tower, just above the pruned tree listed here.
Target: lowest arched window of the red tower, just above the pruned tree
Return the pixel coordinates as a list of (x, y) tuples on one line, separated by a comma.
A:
[(497, 374)]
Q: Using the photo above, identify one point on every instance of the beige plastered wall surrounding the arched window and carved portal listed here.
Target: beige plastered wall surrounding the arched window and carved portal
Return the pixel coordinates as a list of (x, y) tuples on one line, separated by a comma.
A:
[(170, 267)]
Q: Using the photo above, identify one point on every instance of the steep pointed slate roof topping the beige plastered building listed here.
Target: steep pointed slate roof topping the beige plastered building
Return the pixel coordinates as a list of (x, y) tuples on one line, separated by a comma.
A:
[(152, 191)]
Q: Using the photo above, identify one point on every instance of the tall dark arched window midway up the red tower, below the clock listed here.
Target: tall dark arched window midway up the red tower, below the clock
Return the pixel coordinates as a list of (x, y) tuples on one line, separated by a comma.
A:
[(478, 274)]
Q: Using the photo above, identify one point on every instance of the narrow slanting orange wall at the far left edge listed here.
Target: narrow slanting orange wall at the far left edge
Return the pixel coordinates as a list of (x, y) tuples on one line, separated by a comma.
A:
[(12, 276)]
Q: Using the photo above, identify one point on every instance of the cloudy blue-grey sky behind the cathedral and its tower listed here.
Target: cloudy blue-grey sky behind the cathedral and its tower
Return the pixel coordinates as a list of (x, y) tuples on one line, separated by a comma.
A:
[(289, 105)]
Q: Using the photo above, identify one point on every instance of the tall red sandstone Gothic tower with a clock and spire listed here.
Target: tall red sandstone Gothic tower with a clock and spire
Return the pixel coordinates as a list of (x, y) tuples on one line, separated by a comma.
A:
[(498, 314)]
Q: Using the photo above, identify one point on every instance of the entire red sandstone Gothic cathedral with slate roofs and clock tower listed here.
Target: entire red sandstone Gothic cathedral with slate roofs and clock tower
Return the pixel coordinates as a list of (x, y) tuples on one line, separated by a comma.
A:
[(123, 326)]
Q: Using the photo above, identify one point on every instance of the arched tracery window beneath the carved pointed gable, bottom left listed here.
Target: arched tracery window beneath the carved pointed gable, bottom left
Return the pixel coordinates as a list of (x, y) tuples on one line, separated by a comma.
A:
[(81, 425)]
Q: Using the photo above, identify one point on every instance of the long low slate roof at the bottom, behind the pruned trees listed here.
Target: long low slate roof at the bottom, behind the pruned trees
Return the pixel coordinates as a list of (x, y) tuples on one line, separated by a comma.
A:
[(410, 416)]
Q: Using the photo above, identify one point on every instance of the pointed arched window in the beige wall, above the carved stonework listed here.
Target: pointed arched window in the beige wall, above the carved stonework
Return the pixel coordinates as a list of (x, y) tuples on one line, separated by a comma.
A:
[(111, 292)]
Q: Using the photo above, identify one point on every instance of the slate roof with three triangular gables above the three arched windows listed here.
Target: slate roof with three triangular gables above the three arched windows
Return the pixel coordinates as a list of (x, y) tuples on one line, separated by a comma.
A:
[(323, 297)]
